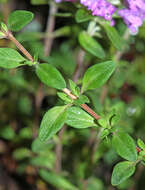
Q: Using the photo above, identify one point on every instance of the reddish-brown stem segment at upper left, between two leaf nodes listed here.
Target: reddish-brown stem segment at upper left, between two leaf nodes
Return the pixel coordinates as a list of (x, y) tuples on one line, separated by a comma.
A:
[(10, 36)]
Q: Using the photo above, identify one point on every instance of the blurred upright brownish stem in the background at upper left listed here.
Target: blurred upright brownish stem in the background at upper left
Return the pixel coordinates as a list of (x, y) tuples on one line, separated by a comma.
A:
[(50, 27)]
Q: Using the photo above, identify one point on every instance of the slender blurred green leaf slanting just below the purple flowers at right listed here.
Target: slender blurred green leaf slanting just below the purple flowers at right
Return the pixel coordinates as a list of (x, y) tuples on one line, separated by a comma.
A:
[(114, 37)]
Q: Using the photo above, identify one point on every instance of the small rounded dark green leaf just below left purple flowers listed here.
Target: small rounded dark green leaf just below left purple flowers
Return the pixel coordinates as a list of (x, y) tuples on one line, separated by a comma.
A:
[(82, 16)]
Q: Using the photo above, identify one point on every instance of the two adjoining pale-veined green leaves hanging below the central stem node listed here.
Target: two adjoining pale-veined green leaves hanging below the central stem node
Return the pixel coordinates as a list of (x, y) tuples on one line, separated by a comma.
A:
[(56, 117)]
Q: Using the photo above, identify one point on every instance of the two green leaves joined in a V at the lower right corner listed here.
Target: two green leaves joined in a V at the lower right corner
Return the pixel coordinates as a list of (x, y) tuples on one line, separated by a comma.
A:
[(126, 148)]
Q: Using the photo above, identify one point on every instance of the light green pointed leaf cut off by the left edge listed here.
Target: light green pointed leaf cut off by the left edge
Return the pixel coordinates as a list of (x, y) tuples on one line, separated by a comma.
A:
[(10, 58)]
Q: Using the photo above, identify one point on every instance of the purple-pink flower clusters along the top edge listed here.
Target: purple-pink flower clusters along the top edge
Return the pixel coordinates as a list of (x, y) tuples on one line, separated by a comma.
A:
[(133, 15)]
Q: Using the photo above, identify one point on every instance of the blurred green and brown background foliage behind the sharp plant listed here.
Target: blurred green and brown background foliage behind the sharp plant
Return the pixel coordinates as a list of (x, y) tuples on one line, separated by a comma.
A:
[(76, 159)]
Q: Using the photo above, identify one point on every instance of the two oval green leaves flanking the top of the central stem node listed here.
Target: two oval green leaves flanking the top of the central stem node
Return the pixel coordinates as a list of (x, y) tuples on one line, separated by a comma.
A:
[(94, 77)]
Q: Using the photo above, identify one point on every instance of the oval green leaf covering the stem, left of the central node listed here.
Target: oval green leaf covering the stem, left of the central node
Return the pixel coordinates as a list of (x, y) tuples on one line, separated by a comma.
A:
[(50, 76)]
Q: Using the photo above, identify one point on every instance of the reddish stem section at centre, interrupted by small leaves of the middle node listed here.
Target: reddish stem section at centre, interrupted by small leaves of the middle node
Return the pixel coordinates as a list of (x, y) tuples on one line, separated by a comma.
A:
[(84, 106)]
